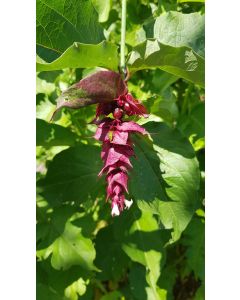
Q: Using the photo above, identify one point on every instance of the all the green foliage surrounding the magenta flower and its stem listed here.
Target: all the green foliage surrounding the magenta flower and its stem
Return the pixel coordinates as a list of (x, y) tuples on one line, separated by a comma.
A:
[(154, 250)]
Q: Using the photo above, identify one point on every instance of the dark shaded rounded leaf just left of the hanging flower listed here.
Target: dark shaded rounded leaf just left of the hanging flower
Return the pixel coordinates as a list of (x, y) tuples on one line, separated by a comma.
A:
[(73, 176)]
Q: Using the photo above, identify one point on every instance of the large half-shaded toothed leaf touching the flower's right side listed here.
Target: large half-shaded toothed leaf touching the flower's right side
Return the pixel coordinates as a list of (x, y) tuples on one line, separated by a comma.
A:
[(165, 177)]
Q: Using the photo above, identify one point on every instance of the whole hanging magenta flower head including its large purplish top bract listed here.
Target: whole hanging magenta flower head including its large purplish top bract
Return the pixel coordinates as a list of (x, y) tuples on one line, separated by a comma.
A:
[(110, 92)]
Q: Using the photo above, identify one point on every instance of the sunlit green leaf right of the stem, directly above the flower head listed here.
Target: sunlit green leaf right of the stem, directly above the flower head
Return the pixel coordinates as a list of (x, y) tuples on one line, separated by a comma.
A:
[(182, 61)]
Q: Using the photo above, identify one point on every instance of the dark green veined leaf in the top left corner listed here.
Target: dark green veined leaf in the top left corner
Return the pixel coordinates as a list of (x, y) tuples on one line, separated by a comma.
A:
[(60, 23)]
